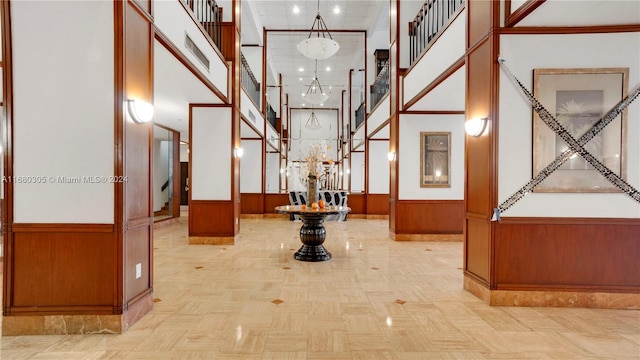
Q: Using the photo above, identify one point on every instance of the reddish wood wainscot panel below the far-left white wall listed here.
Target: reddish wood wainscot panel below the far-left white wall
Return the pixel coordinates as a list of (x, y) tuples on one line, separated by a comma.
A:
[(62, 268)]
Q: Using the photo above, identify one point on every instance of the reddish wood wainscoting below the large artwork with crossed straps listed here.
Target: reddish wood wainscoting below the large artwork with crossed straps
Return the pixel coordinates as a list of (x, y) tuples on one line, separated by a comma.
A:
[(581, 254)]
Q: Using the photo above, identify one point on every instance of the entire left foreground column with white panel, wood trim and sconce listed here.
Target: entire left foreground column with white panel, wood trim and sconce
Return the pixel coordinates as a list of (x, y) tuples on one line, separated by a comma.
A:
[(82, 264)]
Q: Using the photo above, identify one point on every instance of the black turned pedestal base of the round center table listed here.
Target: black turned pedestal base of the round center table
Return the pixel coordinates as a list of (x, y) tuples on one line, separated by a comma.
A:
[(312, 234)]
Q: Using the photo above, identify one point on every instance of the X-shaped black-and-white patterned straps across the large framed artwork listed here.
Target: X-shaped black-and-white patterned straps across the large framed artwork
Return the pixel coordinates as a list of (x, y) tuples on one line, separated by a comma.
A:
[(575, 146)]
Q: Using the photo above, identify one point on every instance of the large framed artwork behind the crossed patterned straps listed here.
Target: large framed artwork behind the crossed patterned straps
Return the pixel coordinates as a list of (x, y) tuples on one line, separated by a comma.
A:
[(578, 98)]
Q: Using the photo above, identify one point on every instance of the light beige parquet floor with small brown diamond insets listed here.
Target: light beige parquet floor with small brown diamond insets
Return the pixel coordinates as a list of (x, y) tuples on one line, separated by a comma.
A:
[(375, 299)]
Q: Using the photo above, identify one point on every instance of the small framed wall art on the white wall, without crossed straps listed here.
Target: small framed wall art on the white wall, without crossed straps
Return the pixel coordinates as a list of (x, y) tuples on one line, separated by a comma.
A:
[(435, 159)]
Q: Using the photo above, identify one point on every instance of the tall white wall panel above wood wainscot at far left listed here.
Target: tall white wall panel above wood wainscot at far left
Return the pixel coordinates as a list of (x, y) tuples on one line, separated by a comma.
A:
[(63, 110)]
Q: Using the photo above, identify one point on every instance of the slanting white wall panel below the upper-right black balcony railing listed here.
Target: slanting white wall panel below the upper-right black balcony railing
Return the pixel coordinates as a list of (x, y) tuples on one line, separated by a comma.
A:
[(444, 52)]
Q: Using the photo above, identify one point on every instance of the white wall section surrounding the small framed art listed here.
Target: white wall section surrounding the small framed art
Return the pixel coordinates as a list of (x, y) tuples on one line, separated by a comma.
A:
[(409, 156)]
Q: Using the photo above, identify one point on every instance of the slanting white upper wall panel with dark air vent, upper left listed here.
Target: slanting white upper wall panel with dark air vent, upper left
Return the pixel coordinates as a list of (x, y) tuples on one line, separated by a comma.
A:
[(174, 22)]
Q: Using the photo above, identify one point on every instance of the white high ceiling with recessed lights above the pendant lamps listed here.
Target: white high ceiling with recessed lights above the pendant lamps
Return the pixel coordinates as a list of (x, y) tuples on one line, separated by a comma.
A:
[(349, 23)]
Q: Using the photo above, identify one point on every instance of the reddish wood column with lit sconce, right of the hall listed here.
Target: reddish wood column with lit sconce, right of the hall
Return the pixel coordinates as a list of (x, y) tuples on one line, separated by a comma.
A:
[(481, 152)]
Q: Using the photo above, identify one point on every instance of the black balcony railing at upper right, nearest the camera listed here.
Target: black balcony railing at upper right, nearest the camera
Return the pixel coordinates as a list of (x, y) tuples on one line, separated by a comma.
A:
[(432, 17)]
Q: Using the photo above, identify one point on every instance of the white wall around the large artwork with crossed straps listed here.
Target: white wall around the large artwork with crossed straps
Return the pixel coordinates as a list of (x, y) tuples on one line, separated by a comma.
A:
[(525, 53)]
